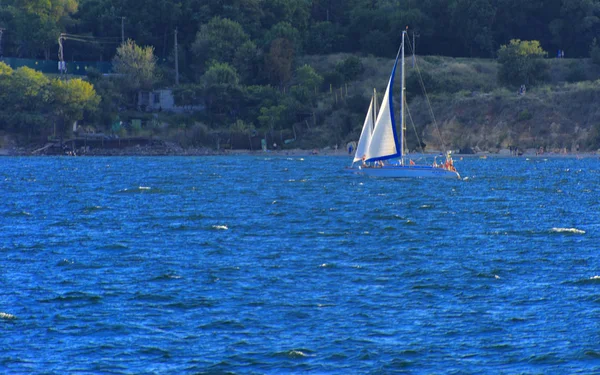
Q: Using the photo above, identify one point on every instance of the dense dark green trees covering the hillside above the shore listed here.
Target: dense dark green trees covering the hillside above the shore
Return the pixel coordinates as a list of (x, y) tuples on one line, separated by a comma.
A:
[(242, 60)]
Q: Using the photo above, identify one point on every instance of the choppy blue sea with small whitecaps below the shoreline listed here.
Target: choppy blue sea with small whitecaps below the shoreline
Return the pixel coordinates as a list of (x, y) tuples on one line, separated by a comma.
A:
[(288, 265)]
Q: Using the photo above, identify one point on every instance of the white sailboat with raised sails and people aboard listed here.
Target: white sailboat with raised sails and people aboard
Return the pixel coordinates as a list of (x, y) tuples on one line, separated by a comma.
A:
[(380, 149)]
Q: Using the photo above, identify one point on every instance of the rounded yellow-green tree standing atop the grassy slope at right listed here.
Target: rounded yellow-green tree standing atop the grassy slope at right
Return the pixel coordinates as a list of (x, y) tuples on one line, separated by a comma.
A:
[(522, 62)]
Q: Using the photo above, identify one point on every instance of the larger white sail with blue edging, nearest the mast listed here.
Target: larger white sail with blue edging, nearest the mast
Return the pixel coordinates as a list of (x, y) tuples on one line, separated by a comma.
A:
[(383, 141)]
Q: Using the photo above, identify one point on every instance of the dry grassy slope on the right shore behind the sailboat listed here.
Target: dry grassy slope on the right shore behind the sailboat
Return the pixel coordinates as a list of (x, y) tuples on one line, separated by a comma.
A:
[(472, 110)]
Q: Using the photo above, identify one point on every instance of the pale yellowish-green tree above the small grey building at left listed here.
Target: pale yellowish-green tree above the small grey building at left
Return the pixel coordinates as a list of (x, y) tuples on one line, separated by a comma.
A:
[(137, 67)]
